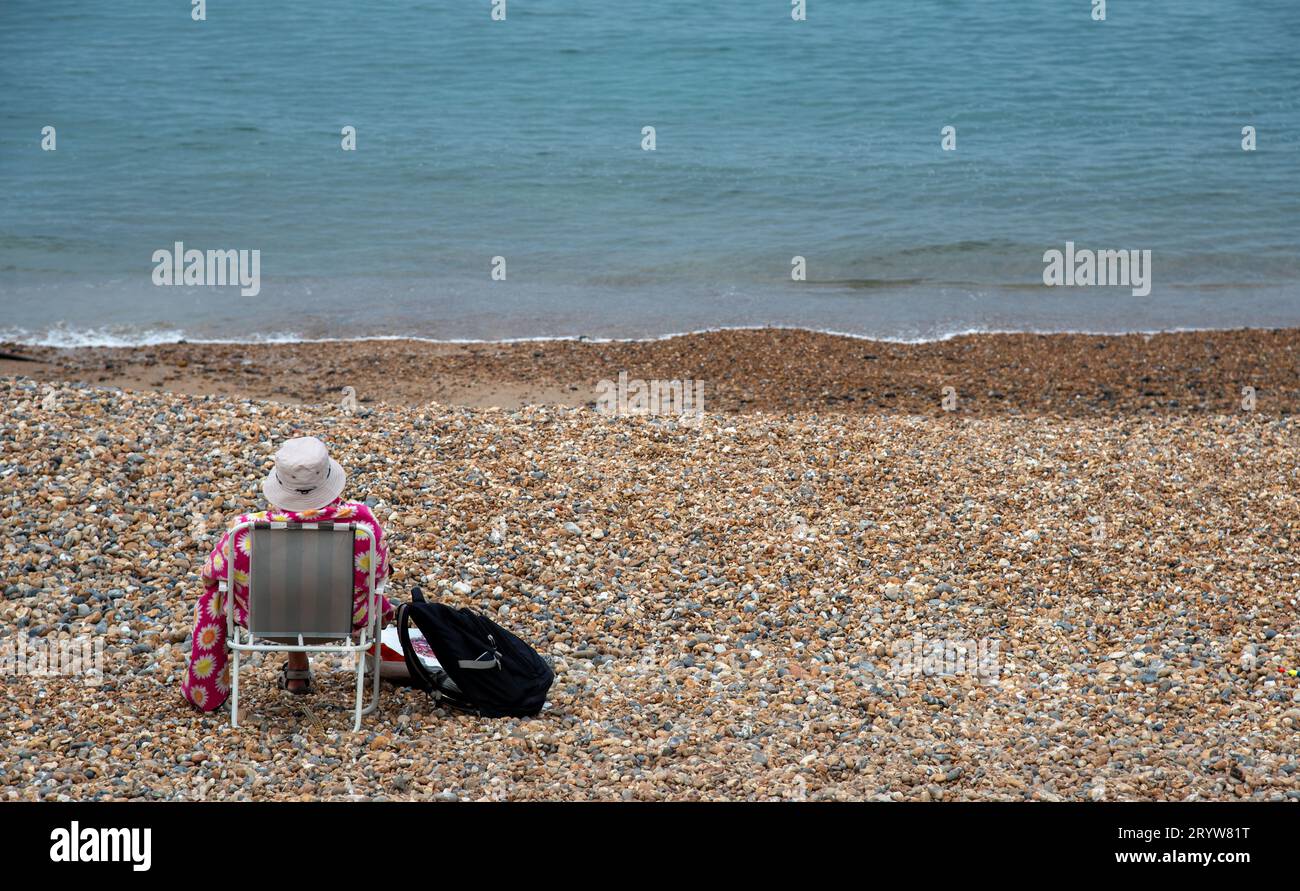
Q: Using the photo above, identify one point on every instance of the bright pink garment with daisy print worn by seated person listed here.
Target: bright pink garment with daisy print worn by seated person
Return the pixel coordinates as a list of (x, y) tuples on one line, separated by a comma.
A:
[(207, 680)]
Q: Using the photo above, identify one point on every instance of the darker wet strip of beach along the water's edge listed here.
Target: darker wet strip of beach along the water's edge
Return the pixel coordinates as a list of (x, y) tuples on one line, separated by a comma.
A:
[(743, 371)]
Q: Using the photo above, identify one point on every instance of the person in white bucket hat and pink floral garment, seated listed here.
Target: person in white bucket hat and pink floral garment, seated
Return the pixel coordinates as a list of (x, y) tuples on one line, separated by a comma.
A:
[(305, 487)]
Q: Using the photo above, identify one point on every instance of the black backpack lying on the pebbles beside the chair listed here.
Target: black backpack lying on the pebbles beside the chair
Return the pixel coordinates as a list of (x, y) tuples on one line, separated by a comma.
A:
[(488, 671)]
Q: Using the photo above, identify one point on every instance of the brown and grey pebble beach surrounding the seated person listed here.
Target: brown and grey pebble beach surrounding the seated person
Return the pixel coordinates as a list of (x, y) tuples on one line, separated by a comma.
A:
[(723, 605)]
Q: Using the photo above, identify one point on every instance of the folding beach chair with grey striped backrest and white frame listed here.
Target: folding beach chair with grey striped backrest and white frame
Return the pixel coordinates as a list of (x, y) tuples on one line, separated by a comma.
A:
[(301, 599)]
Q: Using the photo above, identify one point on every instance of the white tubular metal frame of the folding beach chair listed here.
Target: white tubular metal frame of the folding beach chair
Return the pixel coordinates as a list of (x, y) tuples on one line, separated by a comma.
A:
[(356, 646)]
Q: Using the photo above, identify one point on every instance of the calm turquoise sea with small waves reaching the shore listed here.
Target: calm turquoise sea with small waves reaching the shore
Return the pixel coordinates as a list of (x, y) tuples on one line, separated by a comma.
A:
[(523, 140)]
